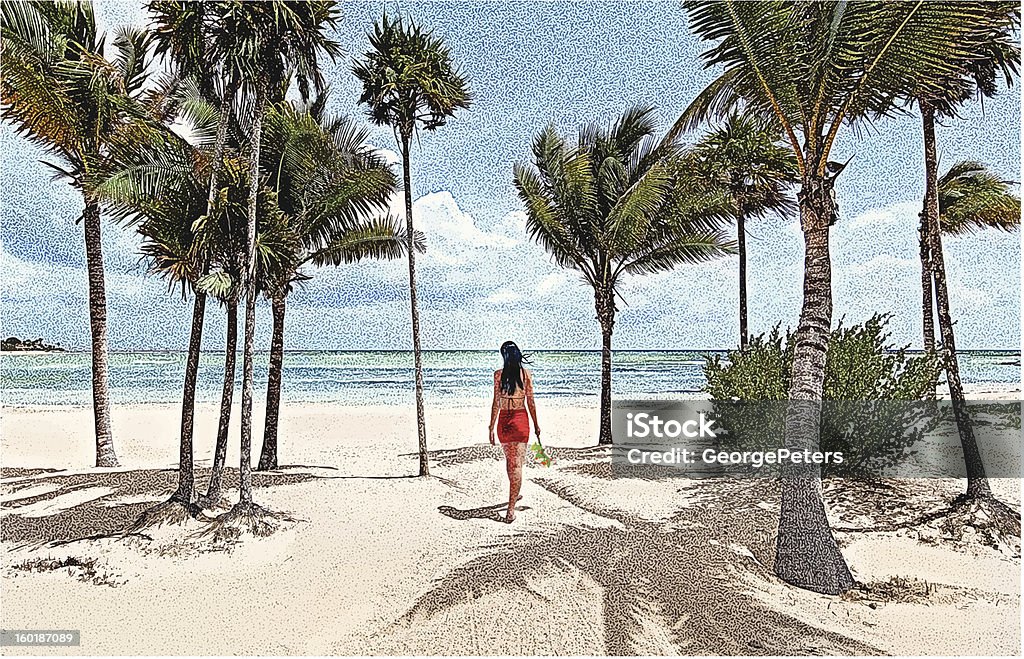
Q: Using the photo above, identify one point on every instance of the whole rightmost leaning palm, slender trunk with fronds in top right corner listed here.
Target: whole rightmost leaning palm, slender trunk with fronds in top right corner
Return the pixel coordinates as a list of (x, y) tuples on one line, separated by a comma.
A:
[(991, 48)]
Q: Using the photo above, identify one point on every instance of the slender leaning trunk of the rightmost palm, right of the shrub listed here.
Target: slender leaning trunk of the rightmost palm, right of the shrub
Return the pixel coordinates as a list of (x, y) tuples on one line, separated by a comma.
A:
[(977, 482)]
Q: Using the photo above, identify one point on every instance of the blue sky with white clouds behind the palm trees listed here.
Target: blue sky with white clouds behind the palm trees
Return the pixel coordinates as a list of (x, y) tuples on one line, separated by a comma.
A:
[(483, 282)]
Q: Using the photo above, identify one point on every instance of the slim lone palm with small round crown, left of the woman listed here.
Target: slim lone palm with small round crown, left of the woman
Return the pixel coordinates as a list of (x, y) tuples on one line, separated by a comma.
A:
[(409, 82)]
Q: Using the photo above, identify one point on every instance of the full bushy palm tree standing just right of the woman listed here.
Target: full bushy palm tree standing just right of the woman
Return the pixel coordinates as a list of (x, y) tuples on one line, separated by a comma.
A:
[(619, 203)]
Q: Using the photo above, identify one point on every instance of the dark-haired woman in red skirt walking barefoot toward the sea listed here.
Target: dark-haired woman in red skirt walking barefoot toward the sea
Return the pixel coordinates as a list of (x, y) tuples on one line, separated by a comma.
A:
[(514, 397)]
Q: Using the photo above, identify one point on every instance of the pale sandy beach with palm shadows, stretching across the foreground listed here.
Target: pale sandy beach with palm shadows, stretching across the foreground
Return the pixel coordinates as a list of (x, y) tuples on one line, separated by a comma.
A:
[(377, 562)]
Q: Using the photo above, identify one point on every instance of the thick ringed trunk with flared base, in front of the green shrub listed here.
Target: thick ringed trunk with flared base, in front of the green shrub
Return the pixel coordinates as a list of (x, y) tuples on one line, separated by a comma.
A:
[(806, 554)]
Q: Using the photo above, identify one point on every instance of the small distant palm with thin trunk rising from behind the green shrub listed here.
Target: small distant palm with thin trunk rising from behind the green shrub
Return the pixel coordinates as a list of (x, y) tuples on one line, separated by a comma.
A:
[(745, 156)]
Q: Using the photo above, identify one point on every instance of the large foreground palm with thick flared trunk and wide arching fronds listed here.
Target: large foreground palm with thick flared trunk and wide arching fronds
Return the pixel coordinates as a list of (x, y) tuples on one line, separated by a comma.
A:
[(816, 68)]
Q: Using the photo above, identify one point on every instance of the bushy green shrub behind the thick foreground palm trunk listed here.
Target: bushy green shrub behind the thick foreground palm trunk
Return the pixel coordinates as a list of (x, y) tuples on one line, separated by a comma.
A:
[(866, 414)]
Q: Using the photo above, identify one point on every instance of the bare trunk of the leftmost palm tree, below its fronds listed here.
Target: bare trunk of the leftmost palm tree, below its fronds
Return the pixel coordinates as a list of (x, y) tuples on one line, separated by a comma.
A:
[(98, 327)]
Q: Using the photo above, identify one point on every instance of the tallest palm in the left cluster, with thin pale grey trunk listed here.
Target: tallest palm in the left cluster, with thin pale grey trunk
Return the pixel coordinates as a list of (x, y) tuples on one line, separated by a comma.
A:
[(270, 43)]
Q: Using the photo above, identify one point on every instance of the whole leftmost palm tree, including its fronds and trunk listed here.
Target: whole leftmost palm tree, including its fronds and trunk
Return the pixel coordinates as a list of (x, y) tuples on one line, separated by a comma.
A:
[(63, 95)]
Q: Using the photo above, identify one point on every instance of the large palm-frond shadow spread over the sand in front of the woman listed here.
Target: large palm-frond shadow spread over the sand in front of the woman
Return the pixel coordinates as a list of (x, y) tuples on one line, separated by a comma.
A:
[(689, 570)]
